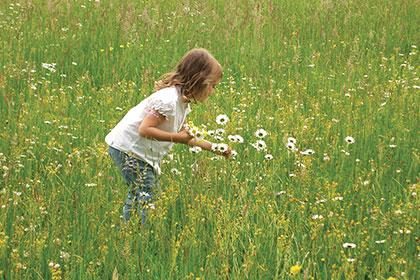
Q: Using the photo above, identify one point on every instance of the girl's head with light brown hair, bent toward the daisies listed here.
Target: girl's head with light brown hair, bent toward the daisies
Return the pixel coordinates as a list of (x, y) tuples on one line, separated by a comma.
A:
[(197, 74)]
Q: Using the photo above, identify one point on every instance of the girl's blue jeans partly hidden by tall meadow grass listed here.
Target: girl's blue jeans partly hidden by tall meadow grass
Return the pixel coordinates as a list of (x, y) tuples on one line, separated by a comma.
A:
[(140, 178)]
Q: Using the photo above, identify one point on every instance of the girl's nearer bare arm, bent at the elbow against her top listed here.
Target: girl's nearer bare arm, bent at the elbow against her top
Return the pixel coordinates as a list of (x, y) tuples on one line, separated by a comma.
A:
[(149, 129)]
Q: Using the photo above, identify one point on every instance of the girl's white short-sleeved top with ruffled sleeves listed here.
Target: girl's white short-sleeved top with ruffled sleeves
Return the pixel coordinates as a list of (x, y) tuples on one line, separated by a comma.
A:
[(126, 138)]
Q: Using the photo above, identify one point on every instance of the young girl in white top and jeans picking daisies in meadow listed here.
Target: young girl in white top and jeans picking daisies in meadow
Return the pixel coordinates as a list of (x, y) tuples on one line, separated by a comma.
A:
[(148, 131)]
